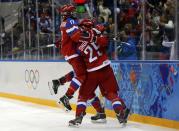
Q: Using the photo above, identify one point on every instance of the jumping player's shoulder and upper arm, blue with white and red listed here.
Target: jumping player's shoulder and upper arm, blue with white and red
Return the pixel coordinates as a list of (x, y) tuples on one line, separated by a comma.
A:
[(73, 30)]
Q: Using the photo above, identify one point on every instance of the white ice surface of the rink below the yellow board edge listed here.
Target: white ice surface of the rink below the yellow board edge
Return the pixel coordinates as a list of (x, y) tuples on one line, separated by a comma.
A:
[(22, 116)]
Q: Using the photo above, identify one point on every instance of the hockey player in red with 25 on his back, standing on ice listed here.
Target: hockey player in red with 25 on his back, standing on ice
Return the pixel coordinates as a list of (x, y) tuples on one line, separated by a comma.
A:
[(99, 72)]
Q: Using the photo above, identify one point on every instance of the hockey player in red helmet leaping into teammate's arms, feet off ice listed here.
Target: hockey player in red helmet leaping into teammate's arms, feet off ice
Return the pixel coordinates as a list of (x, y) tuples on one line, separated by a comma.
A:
[(70, 35)]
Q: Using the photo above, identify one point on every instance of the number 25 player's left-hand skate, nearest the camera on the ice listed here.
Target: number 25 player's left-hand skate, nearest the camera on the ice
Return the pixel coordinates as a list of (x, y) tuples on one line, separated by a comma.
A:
[(77, 121)]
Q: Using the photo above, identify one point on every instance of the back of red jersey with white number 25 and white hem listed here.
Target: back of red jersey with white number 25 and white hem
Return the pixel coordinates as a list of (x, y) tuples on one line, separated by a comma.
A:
[(94, 56)]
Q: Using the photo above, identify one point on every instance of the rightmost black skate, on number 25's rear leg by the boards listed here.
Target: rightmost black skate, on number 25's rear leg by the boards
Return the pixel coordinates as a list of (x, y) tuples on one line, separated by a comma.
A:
[(123, 116)]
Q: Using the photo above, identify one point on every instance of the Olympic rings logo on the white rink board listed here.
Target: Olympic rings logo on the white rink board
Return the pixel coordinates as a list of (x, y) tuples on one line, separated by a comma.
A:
[(32, 78)]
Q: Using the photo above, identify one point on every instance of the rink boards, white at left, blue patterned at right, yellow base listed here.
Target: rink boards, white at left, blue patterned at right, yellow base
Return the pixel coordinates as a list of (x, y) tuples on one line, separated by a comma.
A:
[(150, 89)]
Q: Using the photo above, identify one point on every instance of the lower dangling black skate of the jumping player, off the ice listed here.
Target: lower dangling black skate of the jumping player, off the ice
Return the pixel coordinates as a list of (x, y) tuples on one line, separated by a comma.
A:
[(65, 102)]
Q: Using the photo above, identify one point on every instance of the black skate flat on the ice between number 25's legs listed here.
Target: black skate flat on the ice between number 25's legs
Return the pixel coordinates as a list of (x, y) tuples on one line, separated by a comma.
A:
[(99, 118)]
